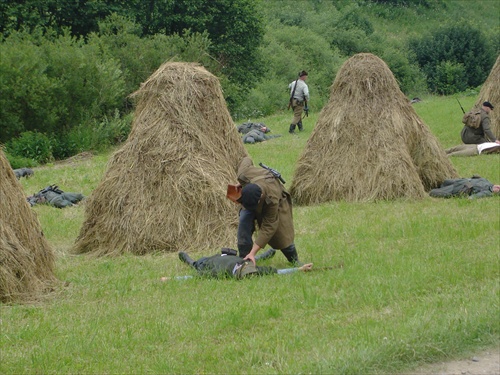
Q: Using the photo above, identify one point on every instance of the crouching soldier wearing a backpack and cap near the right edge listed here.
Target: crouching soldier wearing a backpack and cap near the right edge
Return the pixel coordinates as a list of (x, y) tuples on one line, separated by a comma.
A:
[(478, 131)]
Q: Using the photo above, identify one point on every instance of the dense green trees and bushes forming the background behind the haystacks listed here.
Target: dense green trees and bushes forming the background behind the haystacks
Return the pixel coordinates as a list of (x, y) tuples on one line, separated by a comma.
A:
[(68, 67)]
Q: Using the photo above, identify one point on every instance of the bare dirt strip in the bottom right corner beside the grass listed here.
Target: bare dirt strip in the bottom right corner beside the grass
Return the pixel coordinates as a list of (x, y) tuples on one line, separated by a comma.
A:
[(484, 363)]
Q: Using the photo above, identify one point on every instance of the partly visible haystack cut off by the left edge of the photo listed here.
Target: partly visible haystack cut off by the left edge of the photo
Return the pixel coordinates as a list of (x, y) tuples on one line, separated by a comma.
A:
[(27, 261)]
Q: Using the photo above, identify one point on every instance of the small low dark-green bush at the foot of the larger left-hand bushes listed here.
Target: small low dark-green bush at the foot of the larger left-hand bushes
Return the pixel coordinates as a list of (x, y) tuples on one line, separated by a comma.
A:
[(31, 145)]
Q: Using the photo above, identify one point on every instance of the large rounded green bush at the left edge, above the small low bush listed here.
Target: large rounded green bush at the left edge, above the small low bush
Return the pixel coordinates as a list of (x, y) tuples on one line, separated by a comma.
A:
[(53, 84)]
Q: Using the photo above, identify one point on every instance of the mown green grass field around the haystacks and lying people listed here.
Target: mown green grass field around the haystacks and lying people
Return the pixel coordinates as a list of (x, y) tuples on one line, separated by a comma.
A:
[(419, 283)]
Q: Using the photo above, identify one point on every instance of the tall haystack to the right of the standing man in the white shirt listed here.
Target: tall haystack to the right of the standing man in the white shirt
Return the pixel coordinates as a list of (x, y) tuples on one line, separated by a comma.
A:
[(368, 143)]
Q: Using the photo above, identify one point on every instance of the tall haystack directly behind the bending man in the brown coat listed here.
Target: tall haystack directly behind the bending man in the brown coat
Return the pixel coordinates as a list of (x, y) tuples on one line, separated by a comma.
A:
[(164, 190)]
